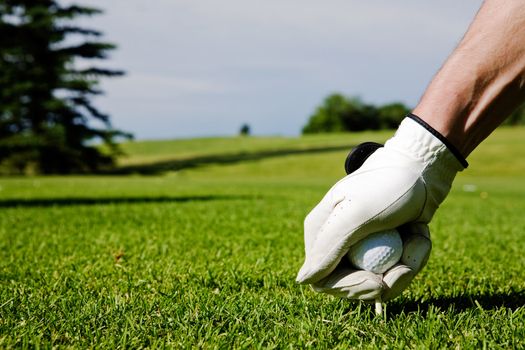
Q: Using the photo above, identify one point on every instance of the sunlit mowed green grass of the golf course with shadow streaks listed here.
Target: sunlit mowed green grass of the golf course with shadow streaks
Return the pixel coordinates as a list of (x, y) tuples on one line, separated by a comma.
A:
[(197, 243)]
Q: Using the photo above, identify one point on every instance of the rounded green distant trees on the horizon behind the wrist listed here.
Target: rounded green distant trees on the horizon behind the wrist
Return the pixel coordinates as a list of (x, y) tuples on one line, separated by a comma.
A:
[(339, 113)]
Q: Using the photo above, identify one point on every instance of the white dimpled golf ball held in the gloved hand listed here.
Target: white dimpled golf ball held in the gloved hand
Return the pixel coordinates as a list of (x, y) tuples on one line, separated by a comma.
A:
[(378, 252)]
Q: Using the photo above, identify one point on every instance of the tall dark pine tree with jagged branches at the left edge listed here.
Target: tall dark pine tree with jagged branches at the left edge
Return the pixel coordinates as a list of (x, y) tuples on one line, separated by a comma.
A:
[(47, 119)]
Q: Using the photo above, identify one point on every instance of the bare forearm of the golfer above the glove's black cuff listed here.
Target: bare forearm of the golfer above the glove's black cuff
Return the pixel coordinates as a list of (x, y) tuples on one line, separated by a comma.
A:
[(483, 80)]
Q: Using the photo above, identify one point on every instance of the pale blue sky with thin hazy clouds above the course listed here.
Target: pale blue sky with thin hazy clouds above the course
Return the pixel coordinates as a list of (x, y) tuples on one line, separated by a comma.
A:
[(204, 67)]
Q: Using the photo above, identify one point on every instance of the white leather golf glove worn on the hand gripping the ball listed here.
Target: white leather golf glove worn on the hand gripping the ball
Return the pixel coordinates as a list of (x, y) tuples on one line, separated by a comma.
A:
[(399, 186)]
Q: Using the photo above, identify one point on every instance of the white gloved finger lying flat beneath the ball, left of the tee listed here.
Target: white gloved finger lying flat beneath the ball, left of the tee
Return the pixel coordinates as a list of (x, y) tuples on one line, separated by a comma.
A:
[(346, 282)]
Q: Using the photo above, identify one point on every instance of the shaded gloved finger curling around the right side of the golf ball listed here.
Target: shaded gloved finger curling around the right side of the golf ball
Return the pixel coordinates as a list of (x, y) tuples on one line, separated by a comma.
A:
[(416, 251)]
